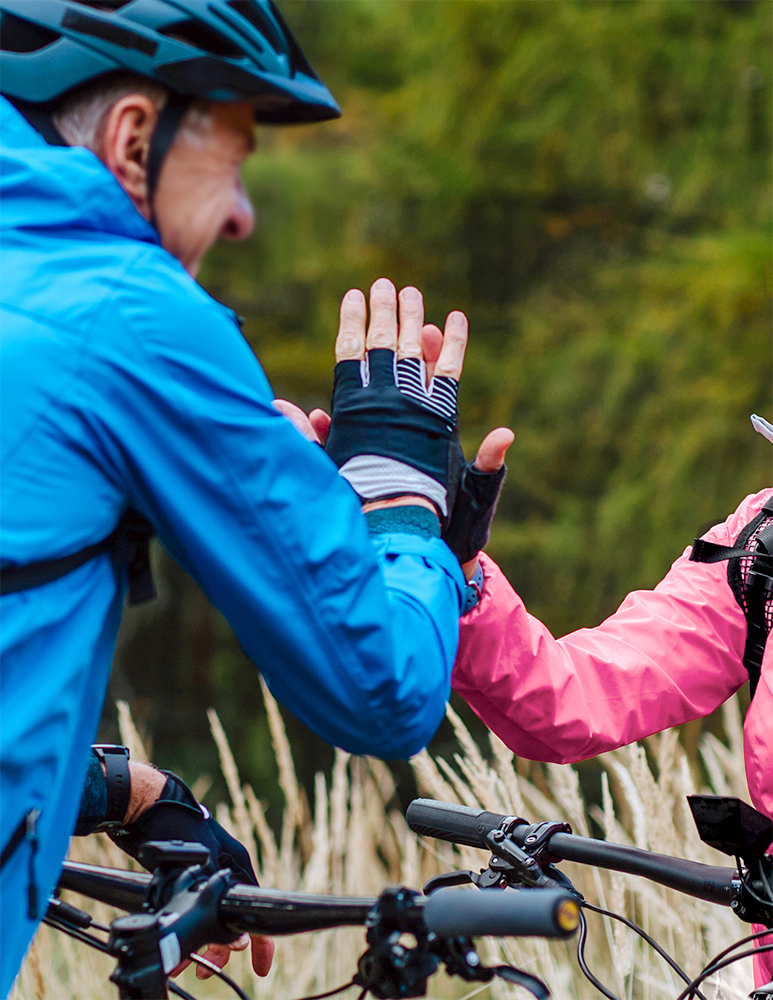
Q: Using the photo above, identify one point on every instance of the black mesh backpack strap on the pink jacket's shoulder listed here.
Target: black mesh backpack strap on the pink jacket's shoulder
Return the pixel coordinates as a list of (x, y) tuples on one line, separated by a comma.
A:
[(750, 576)]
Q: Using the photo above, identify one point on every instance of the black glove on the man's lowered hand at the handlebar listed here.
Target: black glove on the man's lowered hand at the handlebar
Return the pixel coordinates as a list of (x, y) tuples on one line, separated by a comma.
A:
[(176, 815)]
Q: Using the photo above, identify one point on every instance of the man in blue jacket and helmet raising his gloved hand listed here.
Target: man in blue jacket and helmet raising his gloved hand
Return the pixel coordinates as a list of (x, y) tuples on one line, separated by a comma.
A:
[(131, 401)]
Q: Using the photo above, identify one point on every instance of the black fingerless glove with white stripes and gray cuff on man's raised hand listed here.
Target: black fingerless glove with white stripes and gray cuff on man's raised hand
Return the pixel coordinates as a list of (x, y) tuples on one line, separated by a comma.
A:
[(390, 435)]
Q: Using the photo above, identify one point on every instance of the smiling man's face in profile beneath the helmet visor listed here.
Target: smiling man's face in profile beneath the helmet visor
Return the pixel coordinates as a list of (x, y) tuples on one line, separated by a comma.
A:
[(200, 194)]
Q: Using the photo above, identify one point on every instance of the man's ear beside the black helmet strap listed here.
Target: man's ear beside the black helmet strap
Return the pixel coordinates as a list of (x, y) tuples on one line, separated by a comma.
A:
[(125, 145)]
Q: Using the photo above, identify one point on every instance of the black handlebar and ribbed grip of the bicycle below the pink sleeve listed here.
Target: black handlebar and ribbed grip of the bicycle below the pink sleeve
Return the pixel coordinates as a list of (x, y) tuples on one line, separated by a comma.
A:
[(462, 825)]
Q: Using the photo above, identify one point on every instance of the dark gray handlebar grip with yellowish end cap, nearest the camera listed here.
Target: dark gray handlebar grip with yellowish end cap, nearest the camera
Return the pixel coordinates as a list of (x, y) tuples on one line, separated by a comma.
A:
[(551, 913)]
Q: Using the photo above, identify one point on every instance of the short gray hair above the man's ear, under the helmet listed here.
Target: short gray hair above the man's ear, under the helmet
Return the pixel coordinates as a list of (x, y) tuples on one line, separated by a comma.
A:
[(82, 115)]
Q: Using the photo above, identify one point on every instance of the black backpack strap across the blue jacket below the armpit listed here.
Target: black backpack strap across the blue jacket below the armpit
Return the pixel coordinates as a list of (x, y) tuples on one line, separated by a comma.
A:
[(129, 546)]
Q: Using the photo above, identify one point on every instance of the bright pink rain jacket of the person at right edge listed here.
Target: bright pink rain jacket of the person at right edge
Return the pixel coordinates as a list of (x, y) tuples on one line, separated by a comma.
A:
[(667, 656)]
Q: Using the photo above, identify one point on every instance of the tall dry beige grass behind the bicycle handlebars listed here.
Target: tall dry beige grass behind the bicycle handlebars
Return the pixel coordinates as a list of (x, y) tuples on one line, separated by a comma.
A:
[(356, 842)]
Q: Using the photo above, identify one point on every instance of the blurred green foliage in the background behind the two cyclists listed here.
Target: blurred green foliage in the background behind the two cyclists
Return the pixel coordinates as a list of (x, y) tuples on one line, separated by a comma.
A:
[(590, 181)]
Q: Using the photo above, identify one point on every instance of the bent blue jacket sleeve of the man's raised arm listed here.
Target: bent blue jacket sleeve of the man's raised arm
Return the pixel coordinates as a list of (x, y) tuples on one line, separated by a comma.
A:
[(357, 638)]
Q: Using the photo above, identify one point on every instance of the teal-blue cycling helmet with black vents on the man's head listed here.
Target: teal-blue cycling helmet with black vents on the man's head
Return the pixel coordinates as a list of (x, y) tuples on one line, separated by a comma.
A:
[(224, 50)]
